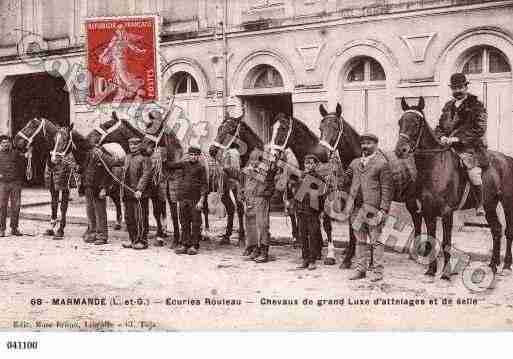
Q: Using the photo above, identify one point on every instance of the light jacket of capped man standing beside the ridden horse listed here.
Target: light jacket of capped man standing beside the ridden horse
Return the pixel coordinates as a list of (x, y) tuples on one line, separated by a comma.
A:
[(371, 185)]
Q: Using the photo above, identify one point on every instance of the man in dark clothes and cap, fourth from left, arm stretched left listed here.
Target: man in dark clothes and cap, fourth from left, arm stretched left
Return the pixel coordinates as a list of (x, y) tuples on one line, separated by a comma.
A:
[(190, 194)]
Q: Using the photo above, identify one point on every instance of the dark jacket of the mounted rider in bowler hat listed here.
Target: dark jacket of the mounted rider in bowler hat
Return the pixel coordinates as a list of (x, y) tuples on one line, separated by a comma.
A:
[(468, 123)]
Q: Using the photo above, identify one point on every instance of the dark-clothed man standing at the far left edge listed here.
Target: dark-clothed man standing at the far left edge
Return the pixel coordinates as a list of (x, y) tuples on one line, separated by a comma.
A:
[(12, 171)]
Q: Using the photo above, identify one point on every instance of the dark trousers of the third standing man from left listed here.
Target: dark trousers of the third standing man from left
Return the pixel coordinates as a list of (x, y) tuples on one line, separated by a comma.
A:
[(136, 219)]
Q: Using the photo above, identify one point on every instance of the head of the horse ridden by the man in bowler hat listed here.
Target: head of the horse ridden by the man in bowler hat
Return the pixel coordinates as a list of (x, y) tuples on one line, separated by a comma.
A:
[(411, 125)]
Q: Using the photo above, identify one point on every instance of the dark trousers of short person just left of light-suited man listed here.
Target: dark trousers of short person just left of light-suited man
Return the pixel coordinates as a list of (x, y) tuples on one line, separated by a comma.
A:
[(309, 228)]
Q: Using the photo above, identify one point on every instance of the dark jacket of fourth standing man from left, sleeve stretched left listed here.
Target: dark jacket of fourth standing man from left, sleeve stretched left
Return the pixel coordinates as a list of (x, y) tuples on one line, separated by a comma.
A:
[(193, 183)]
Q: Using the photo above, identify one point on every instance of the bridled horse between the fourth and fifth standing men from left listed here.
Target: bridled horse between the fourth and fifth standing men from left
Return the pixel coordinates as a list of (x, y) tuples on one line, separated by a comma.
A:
[(234, 133)]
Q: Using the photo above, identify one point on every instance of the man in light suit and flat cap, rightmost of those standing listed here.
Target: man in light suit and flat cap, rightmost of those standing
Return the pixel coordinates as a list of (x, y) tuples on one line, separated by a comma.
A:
[(369, 199)]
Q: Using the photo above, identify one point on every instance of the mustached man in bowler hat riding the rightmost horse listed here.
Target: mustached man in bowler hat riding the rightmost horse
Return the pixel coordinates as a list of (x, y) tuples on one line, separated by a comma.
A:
[(462, 125)]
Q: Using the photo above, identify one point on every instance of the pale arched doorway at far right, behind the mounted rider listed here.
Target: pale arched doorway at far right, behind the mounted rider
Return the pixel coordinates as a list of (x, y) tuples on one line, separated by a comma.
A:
[(489, 73)]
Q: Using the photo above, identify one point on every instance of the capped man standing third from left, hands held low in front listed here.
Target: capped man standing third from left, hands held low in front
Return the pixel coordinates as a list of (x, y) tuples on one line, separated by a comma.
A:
[(137, 174)]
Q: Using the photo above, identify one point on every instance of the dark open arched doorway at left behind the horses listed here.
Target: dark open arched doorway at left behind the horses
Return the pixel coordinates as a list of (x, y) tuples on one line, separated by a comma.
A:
[(39, 95)]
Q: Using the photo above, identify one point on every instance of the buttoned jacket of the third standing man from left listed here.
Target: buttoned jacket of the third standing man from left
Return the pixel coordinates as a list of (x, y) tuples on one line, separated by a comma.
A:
[(137, 174)]
